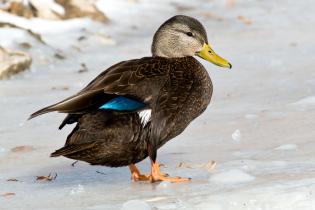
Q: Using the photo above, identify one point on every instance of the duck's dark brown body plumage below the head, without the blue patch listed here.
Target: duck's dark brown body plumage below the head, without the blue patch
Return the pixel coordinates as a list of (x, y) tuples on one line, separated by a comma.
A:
[(185, 93)]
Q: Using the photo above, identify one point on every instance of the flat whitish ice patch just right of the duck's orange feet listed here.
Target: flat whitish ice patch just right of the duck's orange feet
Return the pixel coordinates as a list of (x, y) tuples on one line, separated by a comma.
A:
[(231, 177)]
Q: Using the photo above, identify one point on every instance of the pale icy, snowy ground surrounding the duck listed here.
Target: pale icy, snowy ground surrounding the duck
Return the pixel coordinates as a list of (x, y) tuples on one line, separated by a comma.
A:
[(259, 128)]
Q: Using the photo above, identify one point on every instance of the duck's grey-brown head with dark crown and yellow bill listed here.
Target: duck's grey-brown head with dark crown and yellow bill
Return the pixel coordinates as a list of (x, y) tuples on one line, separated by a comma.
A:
[(182, 36)]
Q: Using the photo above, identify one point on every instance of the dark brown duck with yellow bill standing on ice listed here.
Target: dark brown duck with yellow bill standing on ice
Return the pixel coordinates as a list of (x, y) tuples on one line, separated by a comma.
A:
[(134, 107)]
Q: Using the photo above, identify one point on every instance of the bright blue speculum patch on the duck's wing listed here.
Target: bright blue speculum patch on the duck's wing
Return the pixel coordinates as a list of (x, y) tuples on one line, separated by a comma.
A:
[(121, 103)]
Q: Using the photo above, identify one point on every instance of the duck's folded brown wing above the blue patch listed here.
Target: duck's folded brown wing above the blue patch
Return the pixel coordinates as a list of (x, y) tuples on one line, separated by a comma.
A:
[(138, 79)]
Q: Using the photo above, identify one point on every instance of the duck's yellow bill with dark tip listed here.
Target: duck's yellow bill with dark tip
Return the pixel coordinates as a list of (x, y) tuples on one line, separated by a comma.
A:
[(208, 54)]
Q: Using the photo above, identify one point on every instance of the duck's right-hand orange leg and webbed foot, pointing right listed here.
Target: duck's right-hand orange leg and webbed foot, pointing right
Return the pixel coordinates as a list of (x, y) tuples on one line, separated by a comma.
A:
[(157, 175)]
